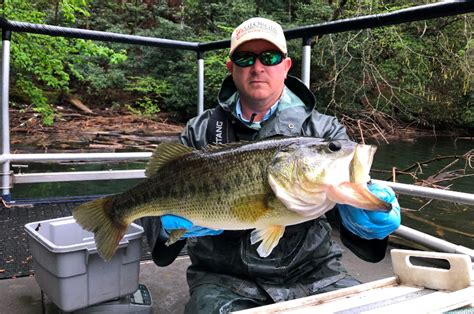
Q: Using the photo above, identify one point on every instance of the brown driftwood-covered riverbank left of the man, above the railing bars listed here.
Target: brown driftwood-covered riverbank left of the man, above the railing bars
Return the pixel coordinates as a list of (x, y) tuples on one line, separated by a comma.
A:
[(101, 131)]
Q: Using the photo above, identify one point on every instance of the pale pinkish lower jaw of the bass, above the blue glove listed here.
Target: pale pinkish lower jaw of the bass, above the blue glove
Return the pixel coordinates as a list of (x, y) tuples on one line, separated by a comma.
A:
[(356, 195)]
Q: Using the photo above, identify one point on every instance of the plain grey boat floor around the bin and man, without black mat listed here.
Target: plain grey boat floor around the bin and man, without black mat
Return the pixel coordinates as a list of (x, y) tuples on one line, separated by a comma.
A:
[(167, 285)]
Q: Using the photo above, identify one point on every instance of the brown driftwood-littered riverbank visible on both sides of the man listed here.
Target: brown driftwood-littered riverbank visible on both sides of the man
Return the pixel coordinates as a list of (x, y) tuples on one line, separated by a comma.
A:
[(107, 130)]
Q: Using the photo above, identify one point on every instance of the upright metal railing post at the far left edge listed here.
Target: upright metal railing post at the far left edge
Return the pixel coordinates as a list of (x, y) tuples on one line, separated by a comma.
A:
[(5, 118)]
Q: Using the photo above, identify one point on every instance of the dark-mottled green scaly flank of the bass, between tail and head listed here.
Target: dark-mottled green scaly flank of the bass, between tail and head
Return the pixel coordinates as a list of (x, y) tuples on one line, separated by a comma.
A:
[(194, 186)]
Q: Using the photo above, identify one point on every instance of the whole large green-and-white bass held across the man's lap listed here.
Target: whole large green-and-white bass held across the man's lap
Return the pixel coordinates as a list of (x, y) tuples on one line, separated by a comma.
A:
[(264, 185)]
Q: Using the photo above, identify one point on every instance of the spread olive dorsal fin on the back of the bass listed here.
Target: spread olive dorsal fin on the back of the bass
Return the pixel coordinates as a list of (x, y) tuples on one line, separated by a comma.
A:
[(164, 153)]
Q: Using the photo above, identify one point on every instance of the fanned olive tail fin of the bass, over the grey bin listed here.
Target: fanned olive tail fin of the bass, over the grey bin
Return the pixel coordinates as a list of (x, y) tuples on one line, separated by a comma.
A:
[(94, 216)]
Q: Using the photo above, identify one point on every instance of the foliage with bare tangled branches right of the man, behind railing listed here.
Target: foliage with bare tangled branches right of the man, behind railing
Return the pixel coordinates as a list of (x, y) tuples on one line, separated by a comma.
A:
[(414, 71)]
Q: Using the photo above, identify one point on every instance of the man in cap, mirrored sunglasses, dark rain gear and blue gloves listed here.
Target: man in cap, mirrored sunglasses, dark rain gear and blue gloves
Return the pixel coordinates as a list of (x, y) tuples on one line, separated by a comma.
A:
[(260, 100)]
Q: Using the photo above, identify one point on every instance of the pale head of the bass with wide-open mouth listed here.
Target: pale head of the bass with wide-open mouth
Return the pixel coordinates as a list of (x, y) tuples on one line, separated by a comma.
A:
[(309, 178)]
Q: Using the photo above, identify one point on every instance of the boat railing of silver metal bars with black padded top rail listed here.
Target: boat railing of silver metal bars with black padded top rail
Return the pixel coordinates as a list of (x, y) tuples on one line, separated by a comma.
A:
[(8, 178)]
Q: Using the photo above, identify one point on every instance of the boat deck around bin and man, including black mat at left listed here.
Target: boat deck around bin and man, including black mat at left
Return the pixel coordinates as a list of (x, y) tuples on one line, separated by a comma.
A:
[(21, 293)]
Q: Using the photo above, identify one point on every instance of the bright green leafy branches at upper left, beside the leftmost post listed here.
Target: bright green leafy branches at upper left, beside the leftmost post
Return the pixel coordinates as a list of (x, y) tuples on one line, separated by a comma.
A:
[(40, 63)]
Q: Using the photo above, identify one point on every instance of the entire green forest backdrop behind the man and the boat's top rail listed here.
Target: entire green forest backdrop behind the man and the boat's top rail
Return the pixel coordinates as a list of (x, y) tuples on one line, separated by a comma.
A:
[(419, 72)]
